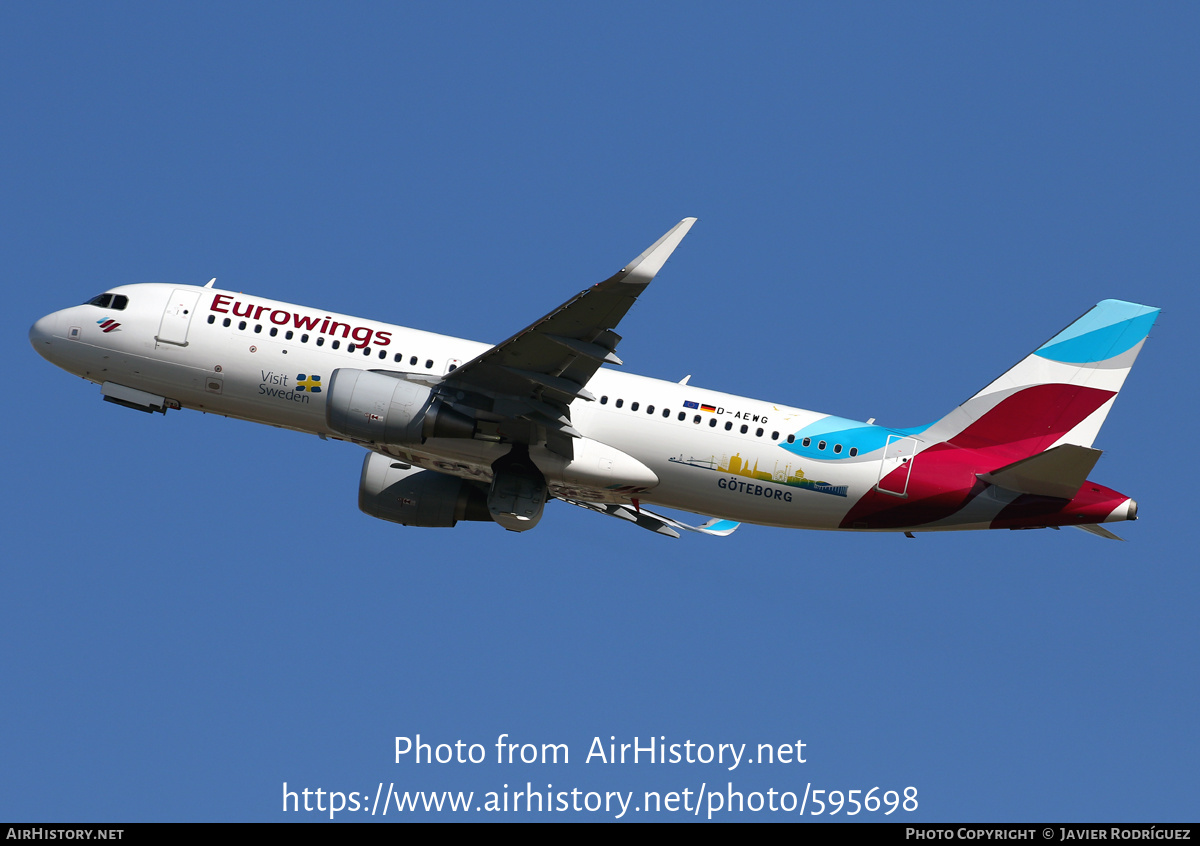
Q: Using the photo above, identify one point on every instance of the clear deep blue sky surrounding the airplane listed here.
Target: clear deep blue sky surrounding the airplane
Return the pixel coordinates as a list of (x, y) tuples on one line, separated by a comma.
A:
[(896, 205)]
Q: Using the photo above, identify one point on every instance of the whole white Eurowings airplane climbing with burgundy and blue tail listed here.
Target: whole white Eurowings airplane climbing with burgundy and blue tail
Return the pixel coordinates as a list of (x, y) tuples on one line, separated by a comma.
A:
[(464, 431)]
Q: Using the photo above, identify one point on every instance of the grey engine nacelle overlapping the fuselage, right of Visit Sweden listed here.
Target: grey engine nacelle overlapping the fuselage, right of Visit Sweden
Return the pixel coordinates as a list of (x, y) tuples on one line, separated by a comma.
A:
[(386, 410)]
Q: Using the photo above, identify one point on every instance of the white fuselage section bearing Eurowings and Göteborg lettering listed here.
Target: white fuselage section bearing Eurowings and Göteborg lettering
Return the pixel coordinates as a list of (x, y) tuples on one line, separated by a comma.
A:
[(257, 359)]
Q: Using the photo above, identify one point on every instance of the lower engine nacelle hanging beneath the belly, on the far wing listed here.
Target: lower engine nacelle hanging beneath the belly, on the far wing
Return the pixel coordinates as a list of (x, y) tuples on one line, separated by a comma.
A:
[(410, 496)]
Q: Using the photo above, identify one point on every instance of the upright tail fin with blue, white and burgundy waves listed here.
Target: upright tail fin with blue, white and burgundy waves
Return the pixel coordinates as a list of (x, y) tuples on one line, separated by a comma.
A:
[(1060, 394)]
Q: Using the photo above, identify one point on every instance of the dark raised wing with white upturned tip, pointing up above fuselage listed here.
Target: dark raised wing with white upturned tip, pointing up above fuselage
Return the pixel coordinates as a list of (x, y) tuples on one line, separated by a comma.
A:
[(526, 385)]
